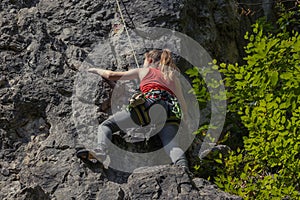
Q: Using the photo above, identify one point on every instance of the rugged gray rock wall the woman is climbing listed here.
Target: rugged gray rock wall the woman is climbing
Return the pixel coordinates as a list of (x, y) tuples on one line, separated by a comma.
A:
[(41, 43)]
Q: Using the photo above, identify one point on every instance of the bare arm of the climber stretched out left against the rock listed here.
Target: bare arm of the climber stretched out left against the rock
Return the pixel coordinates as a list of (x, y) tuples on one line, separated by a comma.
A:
[(114, 75)]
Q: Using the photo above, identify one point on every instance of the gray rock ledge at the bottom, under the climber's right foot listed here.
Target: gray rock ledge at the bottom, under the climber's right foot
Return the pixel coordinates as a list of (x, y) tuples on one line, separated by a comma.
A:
[(171, 182)]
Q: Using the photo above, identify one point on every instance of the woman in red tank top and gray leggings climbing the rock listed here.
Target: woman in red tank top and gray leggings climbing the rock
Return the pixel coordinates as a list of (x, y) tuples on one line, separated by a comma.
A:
[(158, 85)]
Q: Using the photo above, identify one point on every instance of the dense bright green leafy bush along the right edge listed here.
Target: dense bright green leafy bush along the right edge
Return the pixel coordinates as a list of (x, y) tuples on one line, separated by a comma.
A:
[(265, 93)]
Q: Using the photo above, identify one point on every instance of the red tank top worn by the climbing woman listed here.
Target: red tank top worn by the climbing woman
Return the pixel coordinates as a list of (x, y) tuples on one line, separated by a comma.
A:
[(154, 79)]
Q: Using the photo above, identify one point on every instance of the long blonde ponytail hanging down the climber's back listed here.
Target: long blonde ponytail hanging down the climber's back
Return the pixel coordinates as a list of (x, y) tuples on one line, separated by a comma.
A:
[(167, 65)]
